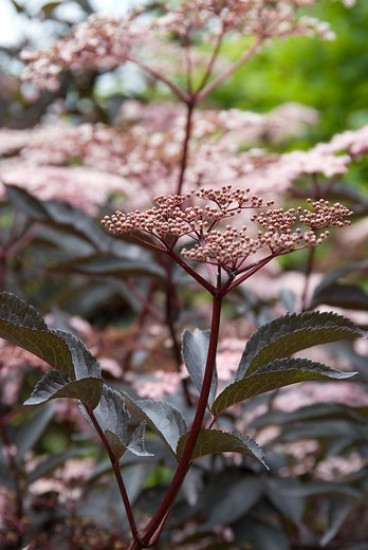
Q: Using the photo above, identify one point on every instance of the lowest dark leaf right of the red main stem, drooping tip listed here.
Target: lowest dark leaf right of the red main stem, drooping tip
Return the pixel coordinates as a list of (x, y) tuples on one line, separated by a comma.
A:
[(216, 441)]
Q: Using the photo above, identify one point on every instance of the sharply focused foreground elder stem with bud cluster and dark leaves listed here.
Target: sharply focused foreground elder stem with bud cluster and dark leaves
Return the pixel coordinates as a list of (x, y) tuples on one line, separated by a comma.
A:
[(231, 255)]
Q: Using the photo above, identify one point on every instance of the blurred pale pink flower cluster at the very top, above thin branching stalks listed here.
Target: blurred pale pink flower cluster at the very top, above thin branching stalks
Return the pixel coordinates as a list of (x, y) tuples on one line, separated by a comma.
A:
[(104, 42)]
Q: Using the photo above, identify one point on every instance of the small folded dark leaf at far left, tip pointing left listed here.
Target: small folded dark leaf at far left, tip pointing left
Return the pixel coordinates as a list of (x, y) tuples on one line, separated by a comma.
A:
[(55, 384)]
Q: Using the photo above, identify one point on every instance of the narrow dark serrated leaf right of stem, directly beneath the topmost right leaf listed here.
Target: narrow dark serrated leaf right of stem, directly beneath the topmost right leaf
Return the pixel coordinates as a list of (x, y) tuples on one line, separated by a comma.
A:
[(274, 375)]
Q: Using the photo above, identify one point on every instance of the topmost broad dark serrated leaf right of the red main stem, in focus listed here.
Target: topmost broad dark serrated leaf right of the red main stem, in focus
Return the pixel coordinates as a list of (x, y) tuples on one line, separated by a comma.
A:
[(291, 333)]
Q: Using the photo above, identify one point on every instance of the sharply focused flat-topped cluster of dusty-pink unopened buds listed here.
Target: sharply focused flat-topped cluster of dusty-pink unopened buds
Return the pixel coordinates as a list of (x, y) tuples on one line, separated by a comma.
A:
[(199, 217)]
